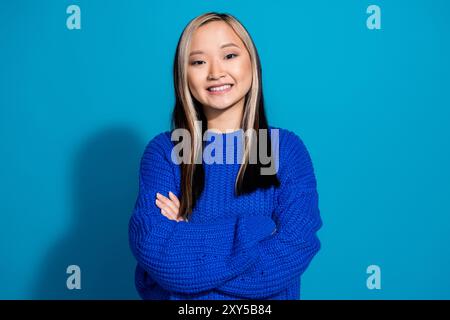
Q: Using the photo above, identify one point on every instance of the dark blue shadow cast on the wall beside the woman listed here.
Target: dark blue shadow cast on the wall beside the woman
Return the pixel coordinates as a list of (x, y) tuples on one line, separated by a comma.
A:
[(105, 187)]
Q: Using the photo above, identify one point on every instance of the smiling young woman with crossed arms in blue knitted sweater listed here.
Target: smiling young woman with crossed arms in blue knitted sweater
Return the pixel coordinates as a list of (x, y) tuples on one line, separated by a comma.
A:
[(223, 229)]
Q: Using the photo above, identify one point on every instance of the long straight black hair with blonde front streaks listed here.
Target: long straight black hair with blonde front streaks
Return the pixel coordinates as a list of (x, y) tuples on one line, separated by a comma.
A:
[(188, 110)]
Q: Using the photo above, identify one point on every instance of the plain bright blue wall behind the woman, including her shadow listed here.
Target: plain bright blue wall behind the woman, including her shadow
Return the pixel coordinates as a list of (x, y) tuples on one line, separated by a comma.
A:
[(78, 107)]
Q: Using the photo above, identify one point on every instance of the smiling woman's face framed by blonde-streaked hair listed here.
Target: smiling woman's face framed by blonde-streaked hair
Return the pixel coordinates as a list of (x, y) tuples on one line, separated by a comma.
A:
[(219, 71)]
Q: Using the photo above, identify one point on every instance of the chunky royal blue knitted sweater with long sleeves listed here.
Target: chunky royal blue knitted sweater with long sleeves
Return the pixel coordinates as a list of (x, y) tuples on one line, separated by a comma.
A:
[(255, 246)]
